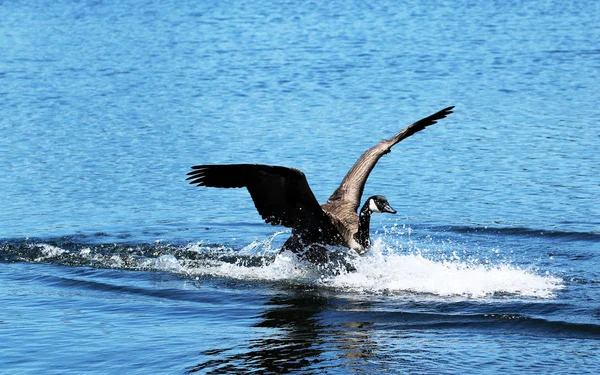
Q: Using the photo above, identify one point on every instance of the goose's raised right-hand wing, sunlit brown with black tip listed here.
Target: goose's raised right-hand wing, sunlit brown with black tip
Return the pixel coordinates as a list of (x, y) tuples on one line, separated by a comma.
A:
[(347, 196)]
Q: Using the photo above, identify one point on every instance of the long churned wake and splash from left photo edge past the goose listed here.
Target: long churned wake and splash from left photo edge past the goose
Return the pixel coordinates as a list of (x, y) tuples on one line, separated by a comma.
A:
[(384, 270)]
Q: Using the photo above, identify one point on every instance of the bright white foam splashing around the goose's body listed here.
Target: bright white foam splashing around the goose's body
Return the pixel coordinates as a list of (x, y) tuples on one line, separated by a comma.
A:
[(382, 271)]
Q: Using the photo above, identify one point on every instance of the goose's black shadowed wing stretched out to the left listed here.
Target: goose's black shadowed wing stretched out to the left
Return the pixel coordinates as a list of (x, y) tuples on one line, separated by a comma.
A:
[(281, 195)]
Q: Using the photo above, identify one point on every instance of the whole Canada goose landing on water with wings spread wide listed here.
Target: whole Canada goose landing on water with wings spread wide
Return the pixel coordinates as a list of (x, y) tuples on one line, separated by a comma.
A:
[(282, 197)]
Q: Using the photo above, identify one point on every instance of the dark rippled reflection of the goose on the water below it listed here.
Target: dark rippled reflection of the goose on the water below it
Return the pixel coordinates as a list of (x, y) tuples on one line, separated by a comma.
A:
[(298, 339)]
